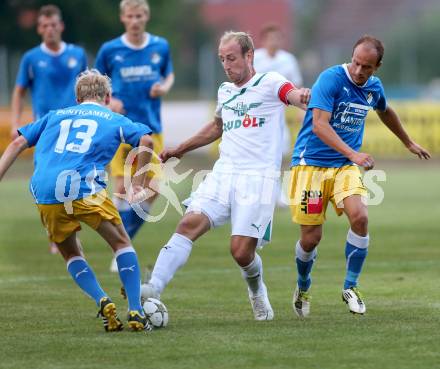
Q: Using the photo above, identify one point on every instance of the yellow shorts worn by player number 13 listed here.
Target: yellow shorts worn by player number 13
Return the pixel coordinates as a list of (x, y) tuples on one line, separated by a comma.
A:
[(61, 220)]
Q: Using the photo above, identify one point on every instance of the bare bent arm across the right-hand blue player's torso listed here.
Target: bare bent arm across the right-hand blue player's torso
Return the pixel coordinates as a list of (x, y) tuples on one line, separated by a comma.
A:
[(323, 129)]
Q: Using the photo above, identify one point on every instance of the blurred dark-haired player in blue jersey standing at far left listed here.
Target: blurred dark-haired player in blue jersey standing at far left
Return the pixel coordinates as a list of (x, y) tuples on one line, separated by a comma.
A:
[(49, 70)]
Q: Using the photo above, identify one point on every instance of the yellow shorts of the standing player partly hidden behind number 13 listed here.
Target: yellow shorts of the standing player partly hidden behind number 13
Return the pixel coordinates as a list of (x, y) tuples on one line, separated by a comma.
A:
[(118, 161)]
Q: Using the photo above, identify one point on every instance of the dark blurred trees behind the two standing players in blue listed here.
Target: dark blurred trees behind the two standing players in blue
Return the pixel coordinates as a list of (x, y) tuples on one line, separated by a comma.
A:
[(89, 23)]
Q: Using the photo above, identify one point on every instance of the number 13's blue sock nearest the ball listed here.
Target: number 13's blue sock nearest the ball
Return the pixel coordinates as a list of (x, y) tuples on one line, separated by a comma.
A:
[(130, 275)]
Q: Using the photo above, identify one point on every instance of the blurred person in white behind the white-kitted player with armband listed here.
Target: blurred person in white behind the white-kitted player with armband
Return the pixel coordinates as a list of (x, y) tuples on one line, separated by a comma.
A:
[(271, 57)]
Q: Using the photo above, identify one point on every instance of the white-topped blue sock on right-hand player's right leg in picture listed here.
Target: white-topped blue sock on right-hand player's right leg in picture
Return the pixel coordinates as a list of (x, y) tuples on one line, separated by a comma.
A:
[(356, 250)]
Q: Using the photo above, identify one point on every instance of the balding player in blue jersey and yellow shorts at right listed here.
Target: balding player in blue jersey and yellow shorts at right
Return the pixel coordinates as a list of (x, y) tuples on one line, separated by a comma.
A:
[(326, 161)]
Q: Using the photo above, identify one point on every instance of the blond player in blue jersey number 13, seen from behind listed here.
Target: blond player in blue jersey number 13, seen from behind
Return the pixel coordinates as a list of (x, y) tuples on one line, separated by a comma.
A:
[(72, 147)]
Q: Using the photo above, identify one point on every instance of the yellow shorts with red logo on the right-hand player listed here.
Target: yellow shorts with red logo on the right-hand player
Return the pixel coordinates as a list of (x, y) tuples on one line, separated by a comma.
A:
[(311, 188)]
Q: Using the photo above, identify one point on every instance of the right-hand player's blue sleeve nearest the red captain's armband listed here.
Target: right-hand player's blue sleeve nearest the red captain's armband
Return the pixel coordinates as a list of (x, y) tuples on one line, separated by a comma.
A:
[(324, 91)]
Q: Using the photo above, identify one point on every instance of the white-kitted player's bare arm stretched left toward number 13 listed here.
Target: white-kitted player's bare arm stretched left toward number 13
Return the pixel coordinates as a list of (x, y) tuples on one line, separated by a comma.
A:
[(208, 134)]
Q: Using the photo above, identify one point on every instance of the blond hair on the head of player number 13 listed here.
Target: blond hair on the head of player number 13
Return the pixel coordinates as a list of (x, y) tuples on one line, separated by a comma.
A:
[(92, 85)]
